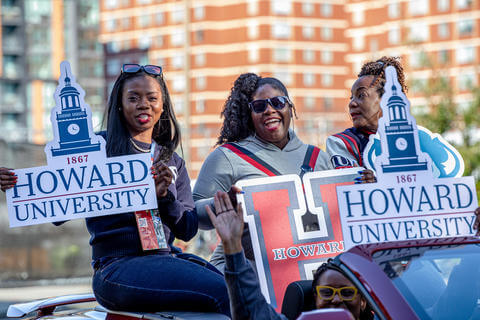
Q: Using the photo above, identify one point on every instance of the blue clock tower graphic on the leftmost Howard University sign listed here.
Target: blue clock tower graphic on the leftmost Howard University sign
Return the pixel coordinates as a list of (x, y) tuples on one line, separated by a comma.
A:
[(72, 122)]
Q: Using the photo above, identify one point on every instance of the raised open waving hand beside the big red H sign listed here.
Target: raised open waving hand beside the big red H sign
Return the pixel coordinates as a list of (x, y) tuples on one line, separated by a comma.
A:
[(228, 222)]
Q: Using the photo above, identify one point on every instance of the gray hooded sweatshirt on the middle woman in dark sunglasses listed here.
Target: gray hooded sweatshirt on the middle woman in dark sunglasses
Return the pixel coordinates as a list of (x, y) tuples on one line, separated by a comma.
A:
[(223, 168)]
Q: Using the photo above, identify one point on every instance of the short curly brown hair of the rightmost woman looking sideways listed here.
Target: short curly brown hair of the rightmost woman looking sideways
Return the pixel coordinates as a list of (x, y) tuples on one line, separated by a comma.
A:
[(377, 69)]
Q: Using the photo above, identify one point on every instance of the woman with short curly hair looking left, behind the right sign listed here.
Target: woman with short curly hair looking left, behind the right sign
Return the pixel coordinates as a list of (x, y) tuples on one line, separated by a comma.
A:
[(346, 148)]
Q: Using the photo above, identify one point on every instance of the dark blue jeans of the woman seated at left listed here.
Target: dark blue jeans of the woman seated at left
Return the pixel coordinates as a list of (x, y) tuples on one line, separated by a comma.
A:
[(153, 283)]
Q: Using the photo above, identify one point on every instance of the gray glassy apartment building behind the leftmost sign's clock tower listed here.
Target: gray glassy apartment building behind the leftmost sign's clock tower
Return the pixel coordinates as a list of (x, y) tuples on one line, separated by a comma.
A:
[(36, 35)]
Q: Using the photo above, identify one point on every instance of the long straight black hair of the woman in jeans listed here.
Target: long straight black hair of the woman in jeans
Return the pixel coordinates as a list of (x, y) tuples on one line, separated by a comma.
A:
[(166, 131)]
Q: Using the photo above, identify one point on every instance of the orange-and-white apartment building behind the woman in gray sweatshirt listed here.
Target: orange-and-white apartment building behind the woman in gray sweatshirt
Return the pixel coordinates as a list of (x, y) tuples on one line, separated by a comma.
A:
[(204, 45)]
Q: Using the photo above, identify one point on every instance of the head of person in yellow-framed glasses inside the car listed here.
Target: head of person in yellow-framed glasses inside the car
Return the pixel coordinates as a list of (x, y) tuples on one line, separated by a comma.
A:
[(331, 289)]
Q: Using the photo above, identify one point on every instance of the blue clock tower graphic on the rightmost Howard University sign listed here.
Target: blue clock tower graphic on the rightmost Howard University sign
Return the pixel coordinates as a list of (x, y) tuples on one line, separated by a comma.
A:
[(400, 136)]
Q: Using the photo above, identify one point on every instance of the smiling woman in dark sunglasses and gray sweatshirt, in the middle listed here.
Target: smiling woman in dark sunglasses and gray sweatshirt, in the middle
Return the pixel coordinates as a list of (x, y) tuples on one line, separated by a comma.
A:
[(255, 141)]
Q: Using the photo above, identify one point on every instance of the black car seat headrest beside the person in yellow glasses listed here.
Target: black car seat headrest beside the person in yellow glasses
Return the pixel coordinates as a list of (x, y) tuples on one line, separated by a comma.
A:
[(298, 298)]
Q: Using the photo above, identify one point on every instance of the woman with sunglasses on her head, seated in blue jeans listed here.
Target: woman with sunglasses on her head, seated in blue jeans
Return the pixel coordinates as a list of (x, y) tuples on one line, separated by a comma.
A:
[(129, 274)]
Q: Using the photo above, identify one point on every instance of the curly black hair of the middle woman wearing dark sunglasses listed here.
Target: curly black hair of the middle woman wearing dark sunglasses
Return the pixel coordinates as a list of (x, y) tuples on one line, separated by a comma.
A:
[(237, 119)]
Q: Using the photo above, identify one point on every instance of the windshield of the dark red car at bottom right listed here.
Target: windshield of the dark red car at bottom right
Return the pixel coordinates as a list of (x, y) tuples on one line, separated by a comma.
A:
[(439, 282)]
